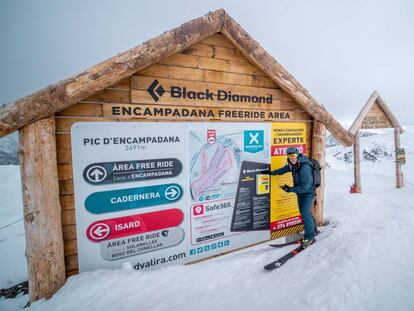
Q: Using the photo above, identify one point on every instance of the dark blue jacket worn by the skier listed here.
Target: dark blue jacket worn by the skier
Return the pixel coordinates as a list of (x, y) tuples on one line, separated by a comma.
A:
[(302, 176)]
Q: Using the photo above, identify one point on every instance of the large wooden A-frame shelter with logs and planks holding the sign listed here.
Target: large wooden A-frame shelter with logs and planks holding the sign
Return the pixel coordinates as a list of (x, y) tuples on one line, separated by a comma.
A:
[(44, 119)]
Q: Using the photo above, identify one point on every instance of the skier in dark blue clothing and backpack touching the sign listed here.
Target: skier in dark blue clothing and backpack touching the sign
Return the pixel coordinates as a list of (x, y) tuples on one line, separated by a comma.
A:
[(301, 169)]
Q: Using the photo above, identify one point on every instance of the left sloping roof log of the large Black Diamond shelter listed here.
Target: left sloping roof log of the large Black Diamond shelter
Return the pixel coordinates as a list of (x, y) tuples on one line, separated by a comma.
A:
[(63, 94)]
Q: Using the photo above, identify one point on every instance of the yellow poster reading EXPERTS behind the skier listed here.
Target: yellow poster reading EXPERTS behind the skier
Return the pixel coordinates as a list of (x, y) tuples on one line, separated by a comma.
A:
[(285, 218)]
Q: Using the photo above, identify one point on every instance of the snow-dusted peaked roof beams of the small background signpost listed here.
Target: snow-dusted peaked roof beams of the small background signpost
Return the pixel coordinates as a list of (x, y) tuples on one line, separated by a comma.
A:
[(374, 98)]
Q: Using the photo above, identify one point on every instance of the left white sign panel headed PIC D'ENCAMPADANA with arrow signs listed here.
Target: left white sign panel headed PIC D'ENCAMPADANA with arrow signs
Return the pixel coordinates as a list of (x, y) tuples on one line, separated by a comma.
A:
[(130, 186)]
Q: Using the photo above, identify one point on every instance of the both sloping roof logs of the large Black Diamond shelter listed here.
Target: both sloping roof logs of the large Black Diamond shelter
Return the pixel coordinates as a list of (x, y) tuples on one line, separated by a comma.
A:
[(65, 93)]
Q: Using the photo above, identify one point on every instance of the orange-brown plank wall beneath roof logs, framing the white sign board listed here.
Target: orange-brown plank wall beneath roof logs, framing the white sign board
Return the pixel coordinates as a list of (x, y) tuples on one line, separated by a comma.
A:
[(214, 63)]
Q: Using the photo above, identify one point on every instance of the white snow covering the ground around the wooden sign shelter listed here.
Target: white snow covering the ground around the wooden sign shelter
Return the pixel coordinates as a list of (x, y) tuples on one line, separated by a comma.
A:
[(366, 264)]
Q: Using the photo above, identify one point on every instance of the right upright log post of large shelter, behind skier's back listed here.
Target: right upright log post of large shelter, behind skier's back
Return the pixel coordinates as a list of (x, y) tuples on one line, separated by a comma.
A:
[(318, 153)]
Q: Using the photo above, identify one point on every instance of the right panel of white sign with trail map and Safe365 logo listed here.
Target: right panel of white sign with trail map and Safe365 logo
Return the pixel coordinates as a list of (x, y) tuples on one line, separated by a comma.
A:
[(218, 155)]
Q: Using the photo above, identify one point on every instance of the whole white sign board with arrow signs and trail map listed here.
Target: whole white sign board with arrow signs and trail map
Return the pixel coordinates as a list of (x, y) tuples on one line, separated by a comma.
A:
[(155, 194)]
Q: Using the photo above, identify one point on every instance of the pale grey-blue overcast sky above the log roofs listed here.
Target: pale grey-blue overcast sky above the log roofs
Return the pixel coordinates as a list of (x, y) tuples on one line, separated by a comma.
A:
[(341, 51)]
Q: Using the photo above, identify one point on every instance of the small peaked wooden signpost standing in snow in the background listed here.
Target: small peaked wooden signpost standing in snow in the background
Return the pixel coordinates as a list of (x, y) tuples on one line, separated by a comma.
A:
[(376, 115)]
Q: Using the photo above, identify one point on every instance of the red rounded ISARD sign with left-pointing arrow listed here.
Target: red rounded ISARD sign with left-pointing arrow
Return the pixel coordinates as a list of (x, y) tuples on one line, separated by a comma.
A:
[(114, 228)]
